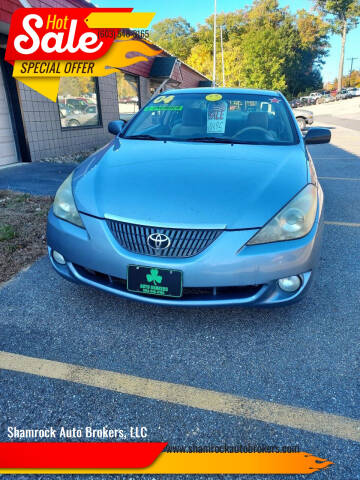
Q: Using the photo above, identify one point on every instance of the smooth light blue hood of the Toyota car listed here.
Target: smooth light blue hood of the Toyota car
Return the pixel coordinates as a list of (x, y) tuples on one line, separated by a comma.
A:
[(189, 184)]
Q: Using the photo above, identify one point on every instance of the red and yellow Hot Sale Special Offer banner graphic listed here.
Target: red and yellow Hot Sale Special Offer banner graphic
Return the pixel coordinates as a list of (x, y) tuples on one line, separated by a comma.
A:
[(45, 44)]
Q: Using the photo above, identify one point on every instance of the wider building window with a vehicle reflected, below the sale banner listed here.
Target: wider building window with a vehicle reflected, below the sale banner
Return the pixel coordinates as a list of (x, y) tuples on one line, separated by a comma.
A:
[(78, 102)]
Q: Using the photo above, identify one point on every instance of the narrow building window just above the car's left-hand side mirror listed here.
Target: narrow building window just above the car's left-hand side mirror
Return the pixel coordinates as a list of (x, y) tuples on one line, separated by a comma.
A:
[(128, 94)]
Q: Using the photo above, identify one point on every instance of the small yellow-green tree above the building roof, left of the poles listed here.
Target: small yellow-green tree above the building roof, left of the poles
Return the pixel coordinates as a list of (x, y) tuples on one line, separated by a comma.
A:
[(174, 35)]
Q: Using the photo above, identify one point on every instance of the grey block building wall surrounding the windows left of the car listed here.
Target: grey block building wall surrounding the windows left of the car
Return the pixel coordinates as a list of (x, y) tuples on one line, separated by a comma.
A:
[(43, 129)]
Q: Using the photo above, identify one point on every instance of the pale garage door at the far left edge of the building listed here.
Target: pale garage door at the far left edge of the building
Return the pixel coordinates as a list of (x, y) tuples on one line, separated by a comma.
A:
[(8, 152)]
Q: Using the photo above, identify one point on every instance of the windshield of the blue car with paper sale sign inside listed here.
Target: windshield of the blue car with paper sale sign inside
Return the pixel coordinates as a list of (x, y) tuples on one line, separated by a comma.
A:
[(214, 117)]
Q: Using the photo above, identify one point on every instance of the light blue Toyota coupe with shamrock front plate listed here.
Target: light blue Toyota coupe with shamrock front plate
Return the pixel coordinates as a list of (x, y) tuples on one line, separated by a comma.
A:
[(206, 197)]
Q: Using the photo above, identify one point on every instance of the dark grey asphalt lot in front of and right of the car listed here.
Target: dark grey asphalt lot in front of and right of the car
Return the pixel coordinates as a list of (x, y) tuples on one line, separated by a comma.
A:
[(304, 355)]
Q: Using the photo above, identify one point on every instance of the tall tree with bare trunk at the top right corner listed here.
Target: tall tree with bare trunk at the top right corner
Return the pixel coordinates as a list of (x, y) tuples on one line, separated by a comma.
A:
[(343, 15)]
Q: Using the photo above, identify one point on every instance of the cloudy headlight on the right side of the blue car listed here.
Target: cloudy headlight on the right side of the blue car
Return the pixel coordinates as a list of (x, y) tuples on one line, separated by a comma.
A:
[(295, 220)]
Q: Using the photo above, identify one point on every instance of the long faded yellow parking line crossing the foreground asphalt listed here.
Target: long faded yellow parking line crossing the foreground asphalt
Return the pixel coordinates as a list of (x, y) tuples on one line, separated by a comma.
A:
[(210, 400)]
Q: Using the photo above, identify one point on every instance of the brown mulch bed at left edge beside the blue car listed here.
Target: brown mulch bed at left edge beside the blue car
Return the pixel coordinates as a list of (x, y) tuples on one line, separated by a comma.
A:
[(22, 231)]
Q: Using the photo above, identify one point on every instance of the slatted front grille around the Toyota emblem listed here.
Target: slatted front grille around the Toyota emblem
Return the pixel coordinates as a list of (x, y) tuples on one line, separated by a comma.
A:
[(183, 242)]
